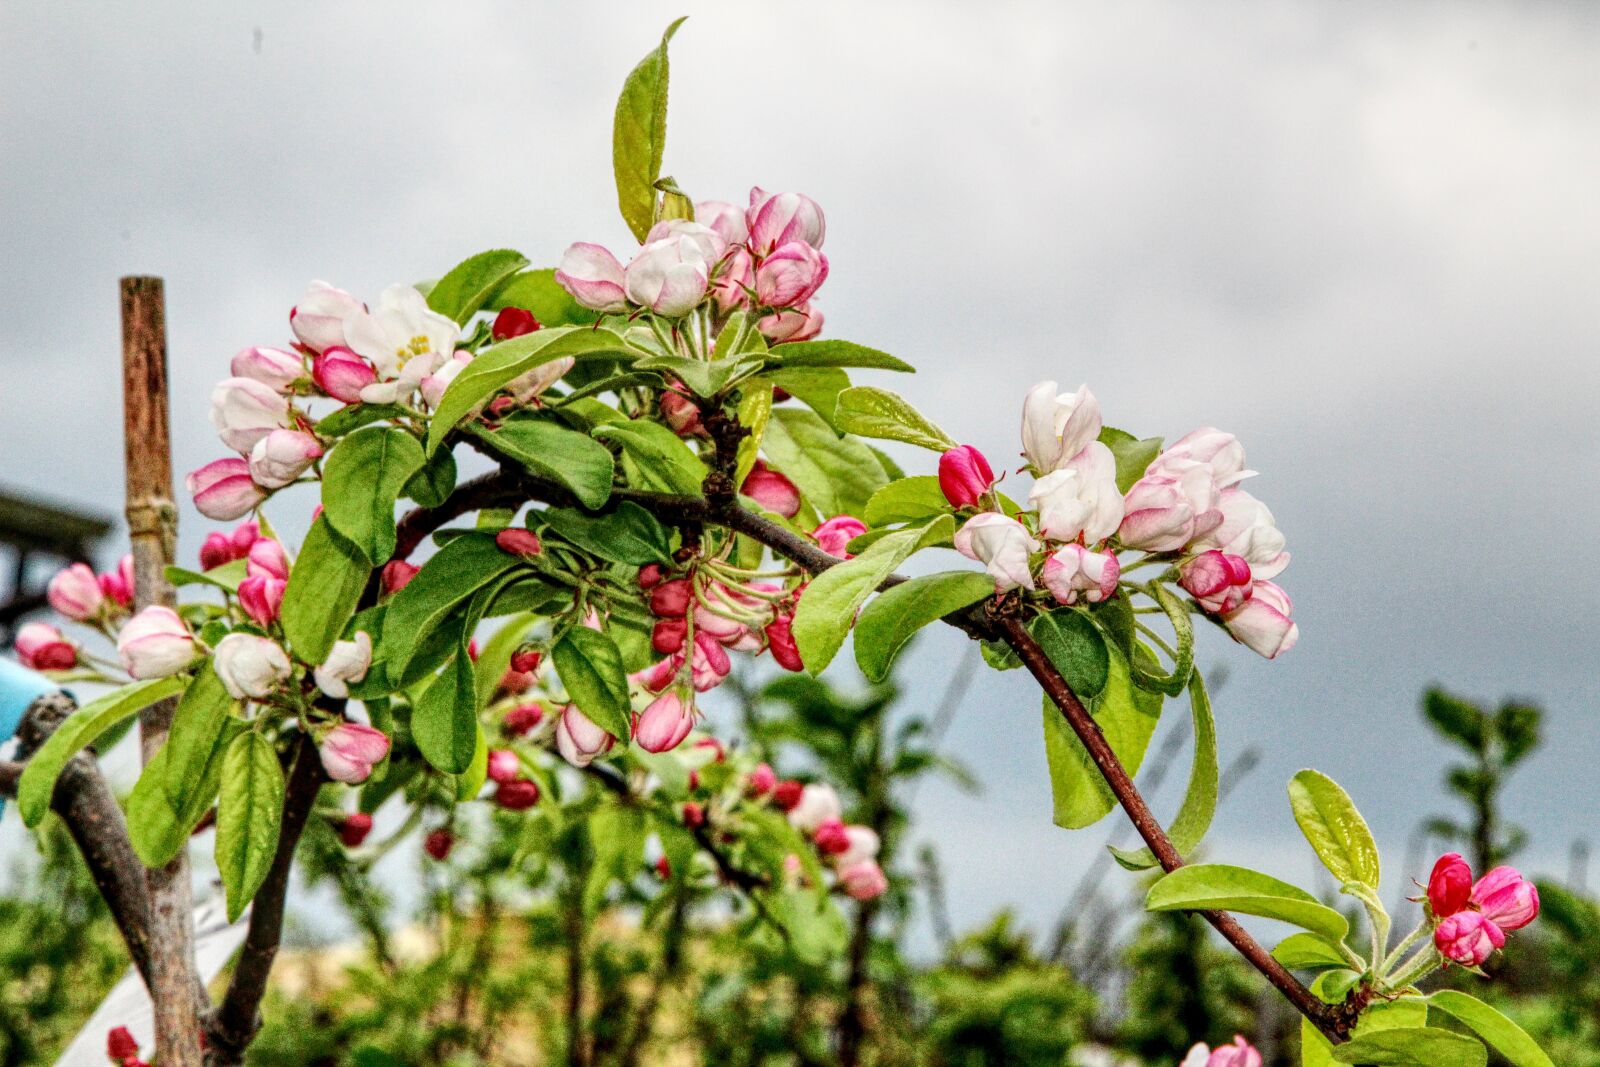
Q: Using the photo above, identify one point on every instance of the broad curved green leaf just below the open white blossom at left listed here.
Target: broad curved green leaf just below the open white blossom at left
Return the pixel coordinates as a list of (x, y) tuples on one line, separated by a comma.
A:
[(361, 482)]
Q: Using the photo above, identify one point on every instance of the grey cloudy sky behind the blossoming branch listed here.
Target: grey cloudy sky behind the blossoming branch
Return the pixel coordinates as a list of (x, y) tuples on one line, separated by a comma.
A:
[(1361, 236)]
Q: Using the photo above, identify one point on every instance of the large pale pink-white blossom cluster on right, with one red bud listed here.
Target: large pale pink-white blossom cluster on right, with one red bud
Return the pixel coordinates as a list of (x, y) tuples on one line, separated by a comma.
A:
[(1186, 510)]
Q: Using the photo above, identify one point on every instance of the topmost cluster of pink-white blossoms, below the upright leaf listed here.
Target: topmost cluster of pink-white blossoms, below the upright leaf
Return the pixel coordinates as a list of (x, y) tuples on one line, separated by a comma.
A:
[(766, 258)]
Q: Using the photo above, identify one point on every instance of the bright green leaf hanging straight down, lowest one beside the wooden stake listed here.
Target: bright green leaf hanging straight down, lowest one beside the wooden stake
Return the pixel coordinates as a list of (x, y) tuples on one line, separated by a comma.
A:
[(249, 812)]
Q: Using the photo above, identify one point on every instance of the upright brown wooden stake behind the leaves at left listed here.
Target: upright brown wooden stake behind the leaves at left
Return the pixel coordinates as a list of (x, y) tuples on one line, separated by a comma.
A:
[(153, 527)]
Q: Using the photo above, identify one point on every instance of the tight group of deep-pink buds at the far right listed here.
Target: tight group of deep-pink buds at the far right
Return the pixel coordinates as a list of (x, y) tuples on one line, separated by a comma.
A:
[(1473, 919)]
